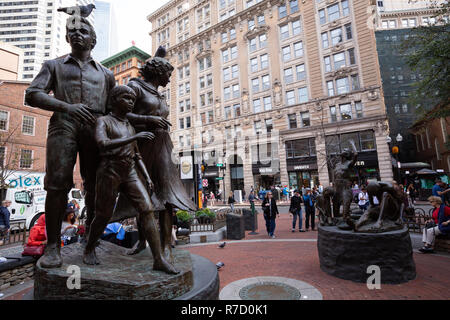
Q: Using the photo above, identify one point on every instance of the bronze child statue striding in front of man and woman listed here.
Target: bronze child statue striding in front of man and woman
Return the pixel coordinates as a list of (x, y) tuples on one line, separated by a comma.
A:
[(116, 139)]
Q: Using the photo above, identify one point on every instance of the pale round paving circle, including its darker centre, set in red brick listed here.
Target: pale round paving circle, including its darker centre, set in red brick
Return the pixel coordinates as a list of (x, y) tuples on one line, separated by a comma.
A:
[(269, 288)]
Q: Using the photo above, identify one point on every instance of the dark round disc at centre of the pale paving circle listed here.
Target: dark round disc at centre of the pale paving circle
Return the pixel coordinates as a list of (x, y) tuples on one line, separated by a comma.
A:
[(269, 291)]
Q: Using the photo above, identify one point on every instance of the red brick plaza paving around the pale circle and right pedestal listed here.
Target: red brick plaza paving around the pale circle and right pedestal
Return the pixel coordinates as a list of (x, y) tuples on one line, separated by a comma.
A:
[(294, 255)]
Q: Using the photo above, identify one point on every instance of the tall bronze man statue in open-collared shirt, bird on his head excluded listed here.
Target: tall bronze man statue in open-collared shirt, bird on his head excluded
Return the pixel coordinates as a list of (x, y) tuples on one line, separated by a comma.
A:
[(80, 88)]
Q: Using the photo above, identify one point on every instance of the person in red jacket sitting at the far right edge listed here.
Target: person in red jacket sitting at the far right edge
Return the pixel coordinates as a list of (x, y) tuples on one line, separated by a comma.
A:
[(438, 224)]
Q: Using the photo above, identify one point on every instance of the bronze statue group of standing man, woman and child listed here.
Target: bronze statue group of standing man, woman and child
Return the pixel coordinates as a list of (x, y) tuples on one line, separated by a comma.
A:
[(97, 120)]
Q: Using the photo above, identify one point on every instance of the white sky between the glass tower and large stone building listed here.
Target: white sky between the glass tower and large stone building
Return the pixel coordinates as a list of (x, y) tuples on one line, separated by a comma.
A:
[(132, 23)]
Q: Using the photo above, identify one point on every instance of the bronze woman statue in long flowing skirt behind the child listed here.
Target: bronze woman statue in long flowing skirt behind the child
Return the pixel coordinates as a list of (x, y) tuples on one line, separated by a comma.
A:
[(150, 114)]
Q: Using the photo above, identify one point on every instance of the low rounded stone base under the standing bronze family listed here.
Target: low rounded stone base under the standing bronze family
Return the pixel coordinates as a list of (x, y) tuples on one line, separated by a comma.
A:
[(123, 277)]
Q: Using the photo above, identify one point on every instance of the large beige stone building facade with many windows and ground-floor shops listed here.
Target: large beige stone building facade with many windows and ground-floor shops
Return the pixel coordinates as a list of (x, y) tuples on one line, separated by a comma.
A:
[(274, 89)]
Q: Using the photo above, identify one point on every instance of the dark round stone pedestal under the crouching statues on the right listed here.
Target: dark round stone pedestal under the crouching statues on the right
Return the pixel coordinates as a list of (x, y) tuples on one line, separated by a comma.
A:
[(347, 255)]
